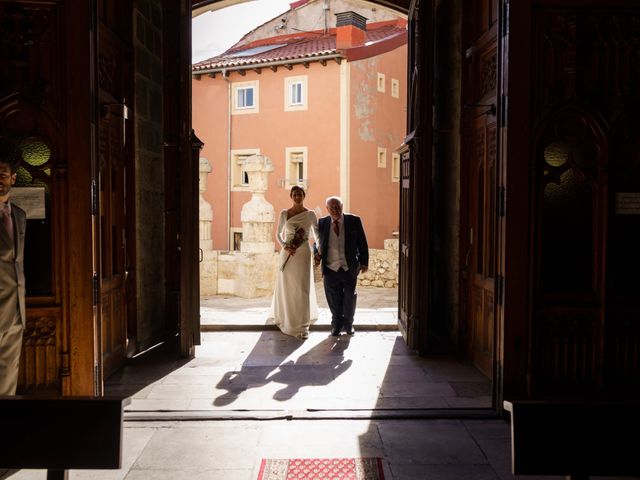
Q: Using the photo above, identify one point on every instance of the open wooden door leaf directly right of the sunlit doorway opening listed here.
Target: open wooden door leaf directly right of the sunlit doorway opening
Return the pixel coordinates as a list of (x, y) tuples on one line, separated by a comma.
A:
[(414, 268)]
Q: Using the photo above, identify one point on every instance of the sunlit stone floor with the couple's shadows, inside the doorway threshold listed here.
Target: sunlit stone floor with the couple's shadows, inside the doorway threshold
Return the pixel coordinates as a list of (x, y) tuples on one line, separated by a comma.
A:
[(271, 374)]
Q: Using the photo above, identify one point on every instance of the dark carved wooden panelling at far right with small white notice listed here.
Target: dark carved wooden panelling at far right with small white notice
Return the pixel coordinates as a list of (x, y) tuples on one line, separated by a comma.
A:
[(585, 260)]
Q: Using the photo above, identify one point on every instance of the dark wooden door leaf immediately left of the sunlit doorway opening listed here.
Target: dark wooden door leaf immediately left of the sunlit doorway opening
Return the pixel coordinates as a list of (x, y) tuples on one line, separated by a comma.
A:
[(182, 236)]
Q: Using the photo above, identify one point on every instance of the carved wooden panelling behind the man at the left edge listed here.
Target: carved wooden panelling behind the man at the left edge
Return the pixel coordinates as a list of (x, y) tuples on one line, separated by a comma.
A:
[(31, 114)]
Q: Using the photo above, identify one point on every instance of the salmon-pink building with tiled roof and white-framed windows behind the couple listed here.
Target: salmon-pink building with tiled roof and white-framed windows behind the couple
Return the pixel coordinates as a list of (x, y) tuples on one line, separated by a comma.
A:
[(327, 106)]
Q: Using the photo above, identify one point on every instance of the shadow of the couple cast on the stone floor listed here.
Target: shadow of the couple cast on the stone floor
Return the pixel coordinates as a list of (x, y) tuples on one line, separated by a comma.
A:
[(269, 362)]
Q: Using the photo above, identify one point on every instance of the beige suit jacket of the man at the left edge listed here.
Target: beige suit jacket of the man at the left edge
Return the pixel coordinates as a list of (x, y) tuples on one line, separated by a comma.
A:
[(12, 289)]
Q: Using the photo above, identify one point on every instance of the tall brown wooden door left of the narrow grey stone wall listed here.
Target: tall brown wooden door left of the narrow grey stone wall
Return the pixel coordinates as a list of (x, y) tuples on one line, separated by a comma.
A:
[(112, 157)]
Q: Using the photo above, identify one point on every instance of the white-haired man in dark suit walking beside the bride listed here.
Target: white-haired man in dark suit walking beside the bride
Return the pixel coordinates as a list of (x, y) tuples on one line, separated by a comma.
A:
[(344, 253)]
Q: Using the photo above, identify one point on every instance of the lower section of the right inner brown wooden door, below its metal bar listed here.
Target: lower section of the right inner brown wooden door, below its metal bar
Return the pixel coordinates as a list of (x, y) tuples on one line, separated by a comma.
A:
[(480, 260)]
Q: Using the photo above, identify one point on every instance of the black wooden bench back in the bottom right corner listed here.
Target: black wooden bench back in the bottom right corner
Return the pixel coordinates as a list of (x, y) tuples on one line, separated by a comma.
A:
[(575, 438)]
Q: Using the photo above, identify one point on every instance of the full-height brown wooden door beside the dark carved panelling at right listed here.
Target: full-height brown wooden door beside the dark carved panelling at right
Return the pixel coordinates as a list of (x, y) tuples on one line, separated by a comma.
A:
[(480, 183)]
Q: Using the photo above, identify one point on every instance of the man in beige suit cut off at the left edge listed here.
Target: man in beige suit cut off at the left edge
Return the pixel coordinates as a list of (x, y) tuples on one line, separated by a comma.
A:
[(13, 223)]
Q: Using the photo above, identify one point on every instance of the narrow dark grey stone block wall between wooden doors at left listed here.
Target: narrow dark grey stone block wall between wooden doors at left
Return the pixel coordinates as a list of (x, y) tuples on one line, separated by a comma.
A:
[(149, 173)]
